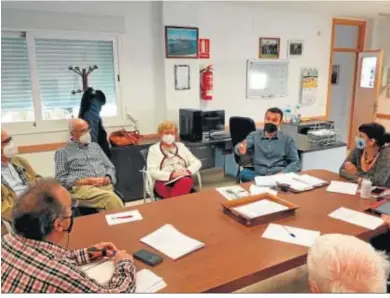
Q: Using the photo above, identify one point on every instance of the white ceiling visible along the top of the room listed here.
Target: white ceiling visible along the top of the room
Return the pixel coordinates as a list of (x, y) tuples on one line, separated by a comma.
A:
[(356, 9)]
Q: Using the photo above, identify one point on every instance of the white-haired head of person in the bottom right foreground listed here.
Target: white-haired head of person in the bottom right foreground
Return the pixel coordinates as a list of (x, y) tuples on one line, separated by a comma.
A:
[(345, 264)]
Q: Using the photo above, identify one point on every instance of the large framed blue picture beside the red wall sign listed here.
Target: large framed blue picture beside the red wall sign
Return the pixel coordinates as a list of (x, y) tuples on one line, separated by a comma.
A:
[(181, 42)]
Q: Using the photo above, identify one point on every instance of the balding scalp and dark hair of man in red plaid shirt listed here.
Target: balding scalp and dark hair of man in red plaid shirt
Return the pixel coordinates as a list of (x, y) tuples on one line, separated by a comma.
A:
[(34, 212)]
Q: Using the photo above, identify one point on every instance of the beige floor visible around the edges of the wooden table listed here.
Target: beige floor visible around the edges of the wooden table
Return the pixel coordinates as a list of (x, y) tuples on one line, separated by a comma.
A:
[(293, 281)]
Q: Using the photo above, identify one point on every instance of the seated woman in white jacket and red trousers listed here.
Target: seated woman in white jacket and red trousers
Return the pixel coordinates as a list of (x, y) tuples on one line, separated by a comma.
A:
[(168, 160)]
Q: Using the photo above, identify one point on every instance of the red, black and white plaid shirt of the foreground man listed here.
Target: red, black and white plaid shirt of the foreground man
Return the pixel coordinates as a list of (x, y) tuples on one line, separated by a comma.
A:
[(43, 267)]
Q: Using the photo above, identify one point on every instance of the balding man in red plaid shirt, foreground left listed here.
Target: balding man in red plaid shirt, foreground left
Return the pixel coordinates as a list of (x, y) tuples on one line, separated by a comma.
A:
[(32, 259)]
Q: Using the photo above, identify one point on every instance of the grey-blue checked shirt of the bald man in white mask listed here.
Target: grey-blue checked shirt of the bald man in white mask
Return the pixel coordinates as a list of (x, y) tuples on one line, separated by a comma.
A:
[(77, 161)]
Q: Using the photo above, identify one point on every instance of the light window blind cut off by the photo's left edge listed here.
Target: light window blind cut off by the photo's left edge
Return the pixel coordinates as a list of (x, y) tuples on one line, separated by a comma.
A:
[(16, 94)]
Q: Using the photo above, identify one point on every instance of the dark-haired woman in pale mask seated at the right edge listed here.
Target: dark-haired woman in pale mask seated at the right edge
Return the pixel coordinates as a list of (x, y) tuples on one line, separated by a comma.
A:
[(371, 157)]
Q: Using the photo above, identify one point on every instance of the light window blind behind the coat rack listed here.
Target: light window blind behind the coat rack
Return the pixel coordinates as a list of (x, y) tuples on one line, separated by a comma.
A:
[(56, 82)]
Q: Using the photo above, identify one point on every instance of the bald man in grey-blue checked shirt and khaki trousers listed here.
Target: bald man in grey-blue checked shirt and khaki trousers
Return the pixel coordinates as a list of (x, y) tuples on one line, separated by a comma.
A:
[(84, 169)]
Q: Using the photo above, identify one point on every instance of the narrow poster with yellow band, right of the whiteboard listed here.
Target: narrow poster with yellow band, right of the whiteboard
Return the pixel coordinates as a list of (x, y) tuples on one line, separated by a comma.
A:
[(309, 86)]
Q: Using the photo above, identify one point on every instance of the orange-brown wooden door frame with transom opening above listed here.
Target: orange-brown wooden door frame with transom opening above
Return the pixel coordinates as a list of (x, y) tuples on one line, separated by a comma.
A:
[(360, 45)]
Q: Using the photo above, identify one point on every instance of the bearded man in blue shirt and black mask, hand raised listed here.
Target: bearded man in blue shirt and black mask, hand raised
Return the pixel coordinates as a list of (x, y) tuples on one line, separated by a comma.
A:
[(272, 151)]
